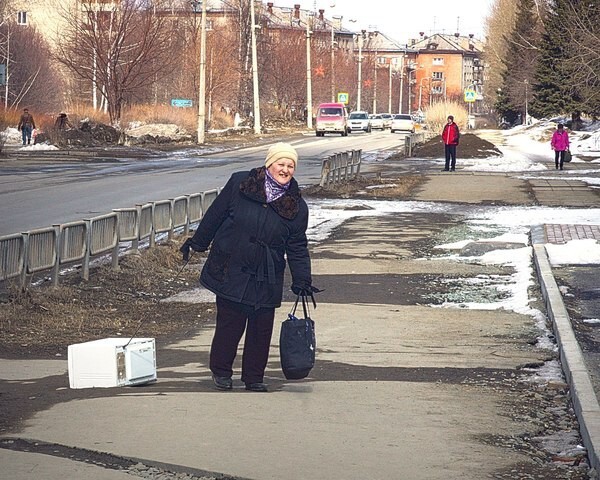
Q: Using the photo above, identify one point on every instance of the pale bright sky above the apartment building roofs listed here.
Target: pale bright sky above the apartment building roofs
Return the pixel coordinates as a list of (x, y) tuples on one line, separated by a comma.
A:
[(404, 19)]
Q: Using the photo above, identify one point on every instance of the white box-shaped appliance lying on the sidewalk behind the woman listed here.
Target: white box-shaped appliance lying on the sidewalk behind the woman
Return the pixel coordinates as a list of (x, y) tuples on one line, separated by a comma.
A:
[(112, 362)]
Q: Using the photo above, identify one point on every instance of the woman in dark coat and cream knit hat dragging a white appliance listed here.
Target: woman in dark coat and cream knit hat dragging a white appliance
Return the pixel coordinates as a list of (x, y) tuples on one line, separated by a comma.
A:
[(257, 221)]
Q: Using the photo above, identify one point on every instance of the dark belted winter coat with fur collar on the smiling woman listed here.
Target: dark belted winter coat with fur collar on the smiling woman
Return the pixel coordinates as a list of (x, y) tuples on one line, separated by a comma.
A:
[(251, 240)]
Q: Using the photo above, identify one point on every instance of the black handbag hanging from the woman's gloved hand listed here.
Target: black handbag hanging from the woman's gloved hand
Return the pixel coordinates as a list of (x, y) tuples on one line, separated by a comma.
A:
[(297, 343)]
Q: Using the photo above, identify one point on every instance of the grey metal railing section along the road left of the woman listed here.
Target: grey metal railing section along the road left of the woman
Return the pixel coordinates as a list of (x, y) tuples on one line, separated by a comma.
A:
[(50, 248)]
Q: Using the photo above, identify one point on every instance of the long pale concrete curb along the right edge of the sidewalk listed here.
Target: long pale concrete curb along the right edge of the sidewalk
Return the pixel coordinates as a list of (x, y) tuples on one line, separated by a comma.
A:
[(583, 396)]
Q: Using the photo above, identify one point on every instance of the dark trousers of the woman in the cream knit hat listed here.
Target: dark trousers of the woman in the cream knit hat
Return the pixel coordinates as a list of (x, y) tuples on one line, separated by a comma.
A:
[(232, 319)]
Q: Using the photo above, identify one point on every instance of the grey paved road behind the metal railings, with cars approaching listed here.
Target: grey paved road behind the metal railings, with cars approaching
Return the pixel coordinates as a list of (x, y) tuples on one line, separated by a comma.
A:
[(41, 189)]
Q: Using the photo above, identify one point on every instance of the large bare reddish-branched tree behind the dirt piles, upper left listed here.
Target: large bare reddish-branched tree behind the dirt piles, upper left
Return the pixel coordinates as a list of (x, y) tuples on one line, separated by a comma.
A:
[(118, 47)]
